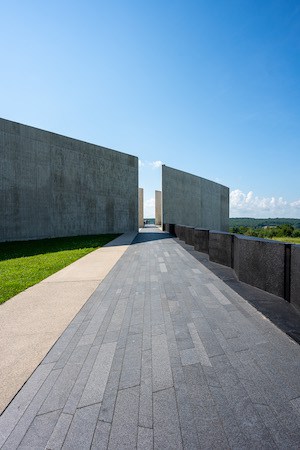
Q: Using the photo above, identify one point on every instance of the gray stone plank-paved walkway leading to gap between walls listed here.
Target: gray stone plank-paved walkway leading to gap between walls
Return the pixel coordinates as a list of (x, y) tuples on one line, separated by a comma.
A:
[(163, 355)]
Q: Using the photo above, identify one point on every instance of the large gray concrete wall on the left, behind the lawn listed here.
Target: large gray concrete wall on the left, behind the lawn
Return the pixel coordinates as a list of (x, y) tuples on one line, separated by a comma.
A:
[(52, 185)]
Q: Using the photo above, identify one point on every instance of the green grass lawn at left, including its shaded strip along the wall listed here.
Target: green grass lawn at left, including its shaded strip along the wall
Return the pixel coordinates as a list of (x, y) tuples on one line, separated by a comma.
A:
[(23, 264)]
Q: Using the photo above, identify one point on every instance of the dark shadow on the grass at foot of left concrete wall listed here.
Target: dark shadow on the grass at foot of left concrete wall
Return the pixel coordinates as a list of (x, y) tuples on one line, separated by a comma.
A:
[(19, 249)]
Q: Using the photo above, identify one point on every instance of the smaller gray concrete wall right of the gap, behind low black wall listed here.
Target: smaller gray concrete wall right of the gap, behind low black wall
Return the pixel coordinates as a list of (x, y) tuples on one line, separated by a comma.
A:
[(194, 201)]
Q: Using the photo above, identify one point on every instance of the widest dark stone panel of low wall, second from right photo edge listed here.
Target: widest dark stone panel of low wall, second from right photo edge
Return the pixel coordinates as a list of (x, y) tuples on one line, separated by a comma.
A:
[(261, 263)]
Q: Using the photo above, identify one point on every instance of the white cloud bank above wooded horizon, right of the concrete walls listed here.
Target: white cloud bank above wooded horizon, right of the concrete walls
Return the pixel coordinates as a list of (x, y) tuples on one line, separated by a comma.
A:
[(250, 205)]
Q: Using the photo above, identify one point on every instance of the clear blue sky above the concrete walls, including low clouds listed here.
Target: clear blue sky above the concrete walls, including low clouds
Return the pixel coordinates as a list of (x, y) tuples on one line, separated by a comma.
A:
[(211, 88)]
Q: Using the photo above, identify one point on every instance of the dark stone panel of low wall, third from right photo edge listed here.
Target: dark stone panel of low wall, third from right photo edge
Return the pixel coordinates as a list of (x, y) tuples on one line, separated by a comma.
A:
[(221, 248)]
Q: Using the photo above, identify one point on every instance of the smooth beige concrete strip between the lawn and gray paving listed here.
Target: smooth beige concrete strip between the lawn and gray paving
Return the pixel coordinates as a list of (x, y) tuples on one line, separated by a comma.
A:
[(32, 321)]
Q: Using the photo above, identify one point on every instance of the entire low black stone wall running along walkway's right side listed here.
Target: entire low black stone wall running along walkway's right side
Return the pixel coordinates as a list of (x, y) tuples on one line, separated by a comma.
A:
[(268, 265)]
